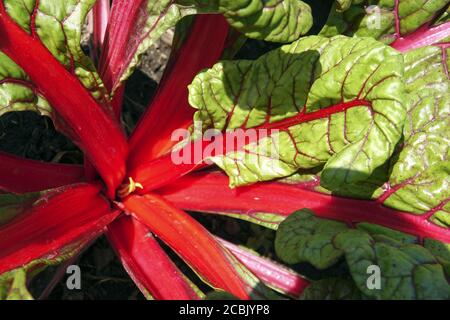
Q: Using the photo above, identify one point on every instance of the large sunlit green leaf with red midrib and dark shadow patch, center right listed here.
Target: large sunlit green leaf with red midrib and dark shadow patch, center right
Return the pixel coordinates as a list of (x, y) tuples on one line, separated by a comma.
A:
[(334, 103)]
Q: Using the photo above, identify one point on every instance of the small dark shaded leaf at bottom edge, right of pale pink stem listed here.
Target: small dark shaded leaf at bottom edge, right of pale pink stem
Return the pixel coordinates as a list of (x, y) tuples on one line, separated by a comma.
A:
[(331, 289)]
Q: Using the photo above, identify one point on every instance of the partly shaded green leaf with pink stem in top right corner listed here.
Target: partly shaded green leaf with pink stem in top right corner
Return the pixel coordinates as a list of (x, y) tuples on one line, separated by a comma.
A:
[(405, 24)]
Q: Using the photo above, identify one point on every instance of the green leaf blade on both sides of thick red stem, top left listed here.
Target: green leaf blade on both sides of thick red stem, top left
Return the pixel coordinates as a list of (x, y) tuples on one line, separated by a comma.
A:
[(58, 25)]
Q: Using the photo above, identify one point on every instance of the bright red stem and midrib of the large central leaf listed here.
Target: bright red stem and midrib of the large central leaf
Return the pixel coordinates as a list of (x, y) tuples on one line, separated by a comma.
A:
[(162, 171)]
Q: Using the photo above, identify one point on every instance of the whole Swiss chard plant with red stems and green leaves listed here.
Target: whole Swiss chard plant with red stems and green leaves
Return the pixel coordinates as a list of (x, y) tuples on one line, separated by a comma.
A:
[(342, 145)]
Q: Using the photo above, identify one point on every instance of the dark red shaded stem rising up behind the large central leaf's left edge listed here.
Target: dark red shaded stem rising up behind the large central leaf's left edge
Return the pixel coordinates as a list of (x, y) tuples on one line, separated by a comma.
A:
[(170, 109)]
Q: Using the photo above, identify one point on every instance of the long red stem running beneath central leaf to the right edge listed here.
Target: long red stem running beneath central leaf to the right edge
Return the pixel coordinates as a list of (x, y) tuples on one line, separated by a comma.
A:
[(209, 192)]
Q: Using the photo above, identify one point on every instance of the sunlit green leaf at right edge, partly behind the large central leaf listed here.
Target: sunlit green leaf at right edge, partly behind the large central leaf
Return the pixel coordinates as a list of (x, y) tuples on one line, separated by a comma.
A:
[(427, 84)]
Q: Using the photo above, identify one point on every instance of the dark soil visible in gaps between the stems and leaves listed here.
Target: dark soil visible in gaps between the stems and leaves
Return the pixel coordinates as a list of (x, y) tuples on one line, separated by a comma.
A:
[(29, 135)]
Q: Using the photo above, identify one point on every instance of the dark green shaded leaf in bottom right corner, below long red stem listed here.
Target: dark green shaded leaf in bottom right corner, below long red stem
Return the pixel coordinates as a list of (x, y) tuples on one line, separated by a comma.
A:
[(407, 270)]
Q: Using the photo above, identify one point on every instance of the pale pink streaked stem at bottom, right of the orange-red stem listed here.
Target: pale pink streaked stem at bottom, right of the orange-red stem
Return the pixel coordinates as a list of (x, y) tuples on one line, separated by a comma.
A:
[(274, 275)]
